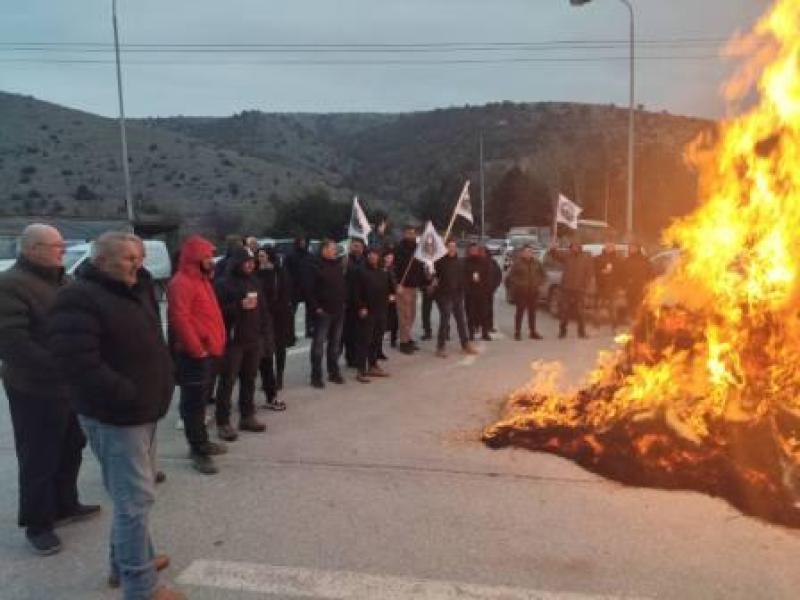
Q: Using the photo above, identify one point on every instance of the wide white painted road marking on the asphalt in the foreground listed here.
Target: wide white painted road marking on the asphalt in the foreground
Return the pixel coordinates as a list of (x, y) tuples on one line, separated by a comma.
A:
[(341, 585)]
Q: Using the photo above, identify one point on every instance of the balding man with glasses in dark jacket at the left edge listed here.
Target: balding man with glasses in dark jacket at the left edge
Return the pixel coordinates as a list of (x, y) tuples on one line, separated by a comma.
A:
[(47, 437)]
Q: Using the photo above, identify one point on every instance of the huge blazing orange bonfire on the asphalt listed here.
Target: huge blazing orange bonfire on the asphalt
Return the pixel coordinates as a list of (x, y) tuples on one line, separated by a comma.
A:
[(706, 391)]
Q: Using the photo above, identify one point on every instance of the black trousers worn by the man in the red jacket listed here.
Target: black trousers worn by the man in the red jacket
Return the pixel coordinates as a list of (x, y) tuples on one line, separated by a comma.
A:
[(196, 378)]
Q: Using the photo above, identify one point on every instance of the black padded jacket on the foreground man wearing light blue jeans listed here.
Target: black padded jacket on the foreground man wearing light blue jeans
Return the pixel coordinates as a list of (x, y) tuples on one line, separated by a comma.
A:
[(109, 345)]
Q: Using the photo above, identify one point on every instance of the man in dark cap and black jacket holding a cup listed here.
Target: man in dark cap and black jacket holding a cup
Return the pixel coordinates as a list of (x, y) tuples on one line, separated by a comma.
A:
[(247, 324)]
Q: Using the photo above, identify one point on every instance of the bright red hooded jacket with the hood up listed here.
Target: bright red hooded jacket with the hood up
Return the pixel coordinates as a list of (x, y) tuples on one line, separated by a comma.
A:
[(195, 320)]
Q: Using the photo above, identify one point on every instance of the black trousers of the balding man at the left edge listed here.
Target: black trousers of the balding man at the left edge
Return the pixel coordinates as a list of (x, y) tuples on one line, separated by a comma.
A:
[(49, 444)]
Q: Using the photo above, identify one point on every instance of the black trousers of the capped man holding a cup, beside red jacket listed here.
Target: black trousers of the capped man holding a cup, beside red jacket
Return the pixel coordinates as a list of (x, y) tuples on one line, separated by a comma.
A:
[(241, 362)]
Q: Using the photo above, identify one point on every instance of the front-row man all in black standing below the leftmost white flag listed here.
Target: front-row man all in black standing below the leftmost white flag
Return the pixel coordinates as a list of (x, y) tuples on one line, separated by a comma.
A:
[(373, 289)]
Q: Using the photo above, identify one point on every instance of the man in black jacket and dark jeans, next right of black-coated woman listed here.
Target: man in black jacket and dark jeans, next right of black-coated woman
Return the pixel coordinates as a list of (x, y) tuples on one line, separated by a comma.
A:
[(326, 299)]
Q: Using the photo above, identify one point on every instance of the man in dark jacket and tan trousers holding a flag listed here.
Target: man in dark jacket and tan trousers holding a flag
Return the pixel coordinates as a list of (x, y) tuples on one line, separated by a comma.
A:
[(409, 278)]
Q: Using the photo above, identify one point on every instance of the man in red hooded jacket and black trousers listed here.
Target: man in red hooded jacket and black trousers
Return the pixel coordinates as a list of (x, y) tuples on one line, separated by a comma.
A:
[(197, 336)]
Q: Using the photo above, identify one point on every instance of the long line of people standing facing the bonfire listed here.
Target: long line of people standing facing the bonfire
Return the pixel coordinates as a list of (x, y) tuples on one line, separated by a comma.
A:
[(89, 359)]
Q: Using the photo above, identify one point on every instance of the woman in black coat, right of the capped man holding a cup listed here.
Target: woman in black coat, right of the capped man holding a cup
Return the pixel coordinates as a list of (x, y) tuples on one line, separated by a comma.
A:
[(277, 287)]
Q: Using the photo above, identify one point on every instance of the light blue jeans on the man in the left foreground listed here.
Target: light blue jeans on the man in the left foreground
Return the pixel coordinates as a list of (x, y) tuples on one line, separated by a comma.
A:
[(126, 456)]
